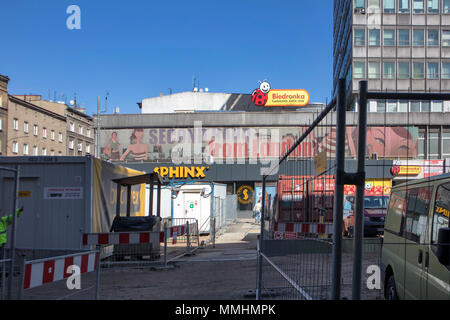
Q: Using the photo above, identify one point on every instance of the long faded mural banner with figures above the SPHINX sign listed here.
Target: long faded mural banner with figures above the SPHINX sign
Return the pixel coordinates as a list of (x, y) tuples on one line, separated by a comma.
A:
[(217, 144)]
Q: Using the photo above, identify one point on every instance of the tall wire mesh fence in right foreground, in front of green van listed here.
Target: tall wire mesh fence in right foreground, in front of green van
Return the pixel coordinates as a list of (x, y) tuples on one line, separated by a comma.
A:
[(375, 189)]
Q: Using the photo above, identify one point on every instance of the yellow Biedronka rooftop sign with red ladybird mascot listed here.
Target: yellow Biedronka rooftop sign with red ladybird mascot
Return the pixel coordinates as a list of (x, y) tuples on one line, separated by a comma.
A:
[(264, 96)]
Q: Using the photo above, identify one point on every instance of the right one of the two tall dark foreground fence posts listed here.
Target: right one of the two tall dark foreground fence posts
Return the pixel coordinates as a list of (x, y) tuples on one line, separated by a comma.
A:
[(359, 208)]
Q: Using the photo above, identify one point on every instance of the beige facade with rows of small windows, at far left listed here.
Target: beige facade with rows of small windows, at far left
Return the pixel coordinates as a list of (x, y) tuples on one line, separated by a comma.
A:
[(22, 114)]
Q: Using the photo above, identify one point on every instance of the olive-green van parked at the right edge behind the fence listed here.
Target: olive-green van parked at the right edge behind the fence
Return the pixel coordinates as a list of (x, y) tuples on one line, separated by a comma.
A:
[(416, 246)]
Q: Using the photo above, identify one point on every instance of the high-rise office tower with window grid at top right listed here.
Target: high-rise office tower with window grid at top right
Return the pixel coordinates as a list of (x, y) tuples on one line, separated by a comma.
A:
[(397, 45)]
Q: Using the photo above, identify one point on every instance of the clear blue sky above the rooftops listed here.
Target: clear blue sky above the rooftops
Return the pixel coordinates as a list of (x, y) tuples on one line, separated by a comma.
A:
[(136, 49)]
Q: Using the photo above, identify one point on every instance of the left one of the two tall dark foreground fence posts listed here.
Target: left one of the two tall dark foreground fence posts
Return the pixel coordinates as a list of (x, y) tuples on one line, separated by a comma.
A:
[(339, 192)]
